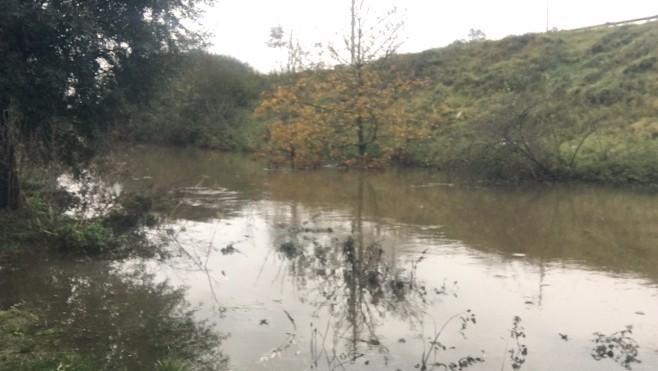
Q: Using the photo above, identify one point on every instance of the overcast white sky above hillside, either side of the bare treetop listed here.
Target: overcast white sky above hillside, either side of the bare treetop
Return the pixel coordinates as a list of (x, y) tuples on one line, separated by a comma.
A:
[(241, 27)]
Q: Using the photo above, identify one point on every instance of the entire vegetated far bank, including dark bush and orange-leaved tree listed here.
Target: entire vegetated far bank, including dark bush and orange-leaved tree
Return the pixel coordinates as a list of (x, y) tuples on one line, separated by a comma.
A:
[(568, 105)]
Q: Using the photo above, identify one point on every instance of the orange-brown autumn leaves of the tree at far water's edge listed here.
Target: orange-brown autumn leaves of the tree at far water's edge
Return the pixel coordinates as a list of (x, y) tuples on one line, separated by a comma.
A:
[(356, 116)]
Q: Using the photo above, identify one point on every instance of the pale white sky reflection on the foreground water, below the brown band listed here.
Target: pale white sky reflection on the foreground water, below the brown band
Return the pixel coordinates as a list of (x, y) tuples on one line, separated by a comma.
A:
[(257, 288)]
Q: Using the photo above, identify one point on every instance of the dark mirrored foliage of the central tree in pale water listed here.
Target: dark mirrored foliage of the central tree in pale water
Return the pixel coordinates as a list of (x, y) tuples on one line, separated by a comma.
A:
[(357, 288)]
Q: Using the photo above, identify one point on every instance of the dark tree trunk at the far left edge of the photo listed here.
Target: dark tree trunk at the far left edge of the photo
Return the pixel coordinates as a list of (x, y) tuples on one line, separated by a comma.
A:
[(9, 188)]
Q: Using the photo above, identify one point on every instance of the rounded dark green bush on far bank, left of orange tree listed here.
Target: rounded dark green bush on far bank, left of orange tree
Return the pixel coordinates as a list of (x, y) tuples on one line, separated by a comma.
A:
[(206, 103)]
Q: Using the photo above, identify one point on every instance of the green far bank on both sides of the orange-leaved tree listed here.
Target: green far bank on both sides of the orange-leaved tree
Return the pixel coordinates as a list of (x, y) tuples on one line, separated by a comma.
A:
[(568, 105)]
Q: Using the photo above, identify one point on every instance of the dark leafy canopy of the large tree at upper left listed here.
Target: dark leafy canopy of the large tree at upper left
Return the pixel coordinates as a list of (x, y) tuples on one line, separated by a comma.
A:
[(67, 65)]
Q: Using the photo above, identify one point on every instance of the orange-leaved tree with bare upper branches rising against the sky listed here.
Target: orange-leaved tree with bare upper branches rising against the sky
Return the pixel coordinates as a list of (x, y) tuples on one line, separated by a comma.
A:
[(361, 113)]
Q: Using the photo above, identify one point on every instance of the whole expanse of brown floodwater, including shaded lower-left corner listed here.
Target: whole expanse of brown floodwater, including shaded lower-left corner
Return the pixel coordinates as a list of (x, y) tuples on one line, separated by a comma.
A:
[(396, 270)]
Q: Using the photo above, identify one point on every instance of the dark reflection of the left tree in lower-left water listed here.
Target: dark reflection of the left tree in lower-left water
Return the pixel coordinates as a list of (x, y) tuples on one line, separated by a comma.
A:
[(118, 320)]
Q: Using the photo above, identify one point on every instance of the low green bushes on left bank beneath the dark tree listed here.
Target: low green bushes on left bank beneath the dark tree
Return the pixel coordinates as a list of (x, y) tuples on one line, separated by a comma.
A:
[(91, 221)]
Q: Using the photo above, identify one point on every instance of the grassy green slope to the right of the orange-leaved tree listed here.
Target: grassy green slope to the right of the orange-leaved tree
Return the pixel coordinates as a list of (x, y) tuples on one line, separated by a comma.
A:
[(560, 105)]
